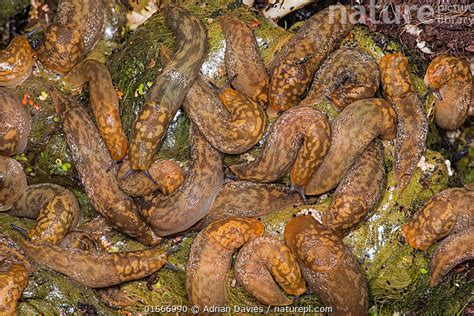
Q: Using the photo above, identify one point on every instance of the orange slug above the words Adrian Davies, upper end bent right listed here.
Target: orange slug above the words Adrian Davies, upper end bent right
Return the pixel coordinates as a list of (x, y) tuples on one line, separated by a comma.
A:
[(211, 256)]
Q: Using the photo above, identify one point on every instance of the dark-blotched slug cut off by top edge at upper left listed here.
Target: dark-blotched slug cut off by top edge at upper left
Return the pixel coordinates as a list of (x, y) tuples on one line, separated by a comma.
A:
[(78, 25)]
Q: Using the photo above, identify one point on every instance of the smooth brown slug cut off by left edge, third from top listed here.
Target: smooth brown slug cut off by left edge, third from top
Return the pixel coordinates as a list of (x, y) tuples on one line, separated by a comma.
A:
[(12, 182)]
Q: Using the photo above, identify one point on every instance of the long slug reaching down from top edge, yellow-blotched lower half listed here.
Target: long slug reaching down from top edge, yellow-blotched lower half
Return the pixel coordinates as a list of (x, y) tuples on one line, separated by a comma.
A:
[(170, 87)]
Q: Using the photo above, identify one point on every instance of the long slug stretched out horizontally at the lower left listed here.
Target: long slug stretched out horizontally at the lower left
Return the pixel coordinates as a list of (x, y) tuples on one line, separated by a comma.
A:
[(97, 269)]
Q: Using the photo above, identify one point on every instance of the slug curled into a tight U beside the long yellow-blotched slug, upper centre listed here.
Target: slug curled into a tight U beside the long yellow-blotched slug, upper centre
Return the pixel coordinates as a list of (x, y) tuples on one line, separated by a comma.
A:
[(231, 122)]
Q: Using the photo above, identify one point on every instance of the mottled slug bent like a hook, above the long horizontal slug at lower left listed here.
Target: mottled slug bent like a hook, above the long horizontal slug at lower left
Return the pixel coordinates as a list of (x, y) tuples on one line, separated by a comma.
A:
[(55, 209)]
